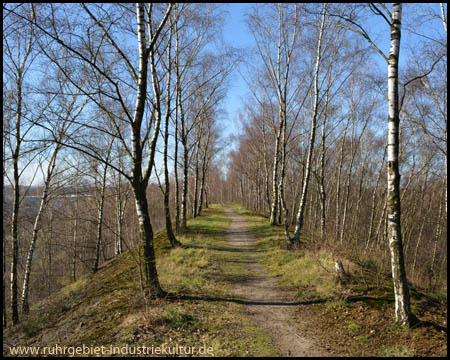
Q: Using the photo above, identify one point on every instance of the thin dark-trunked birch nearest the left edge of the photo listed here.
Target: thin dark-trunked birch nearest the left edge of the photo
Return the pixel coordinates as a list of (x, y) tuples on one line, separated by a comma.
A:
[(19, 40)]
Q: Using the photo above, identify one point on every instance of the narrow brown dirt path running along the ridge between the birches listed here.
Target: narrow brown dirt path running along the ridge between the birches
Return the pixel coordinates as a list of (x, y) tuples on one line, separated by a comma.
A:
[(272, 308)]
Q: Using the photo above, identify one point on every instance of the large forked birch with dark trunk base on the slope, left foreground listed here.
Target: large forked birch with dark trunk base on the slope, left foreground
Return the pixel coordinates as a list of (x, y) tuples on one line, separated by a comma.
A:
[(105, 84)]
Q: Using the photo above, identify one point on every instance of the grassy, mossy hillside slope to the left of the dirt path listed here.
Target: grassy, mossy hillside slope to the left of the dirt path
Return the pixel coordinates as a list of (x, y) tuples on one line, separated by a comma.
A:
[(108, 308)]
